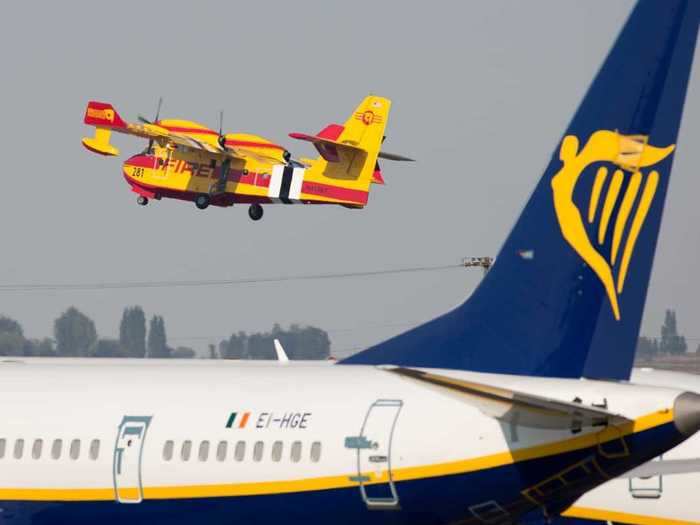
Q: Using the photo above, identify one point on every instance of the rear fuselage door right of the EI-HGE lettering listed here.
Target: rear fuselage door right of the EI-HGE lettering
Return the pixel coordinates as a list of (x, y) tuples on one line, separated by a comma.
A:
[(373, 447)]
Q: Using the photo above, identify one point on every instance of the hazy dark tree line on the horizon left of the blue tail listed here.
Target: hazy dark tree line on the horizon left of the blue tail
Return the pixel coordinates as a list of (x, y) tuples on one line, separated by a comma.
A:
[(75, 335)]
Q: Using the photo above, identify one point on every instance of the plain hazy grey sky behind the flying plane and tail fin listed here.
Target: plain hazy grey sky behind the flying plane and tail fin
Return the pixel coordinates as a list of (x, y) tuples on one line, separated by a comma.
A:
[(465, 79)]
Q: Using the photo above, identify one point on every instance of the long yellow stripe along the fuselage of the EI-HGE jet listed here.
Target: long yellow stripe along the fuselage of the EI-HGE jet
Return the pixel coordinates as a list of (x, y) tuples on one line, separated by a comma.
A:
[(500, 459)]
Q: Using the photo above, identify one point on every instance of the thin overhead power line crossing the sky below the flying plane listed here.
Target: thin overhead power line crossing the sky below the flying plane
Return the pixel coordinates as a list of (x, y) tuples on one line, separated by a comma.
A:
[(121, 285)]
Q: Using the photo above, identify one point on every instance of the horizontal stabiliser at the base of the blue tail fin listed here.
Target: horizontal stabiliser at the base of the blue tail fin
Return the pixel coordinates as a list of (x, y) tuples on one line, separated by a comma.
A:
[(517, 408)]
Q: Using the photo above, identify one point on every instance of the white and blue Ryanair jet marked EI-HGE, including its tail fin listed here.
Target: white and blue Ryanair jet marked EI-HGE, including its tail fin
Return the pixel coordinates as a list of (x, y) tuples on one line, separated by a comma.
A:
[(506, 409)]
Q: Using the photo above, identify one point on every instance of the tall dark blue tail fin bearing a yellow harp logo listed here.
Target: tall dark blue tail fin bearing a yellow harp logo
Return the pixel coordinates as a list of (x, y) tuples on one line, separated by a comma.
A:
[(566, 294)]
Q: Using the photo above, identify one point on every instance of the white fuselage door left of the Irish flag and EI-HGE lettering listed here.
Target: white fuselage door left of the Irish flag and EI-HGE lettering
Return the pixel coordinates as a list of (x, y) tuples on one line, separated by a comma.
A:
[(128, 452)]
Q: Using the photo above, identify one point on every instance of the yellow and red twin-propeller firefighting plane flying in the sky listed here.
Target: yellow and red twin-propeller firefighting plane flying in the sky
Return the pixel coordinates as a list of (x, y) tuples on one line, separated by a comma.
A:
[(188, 161)]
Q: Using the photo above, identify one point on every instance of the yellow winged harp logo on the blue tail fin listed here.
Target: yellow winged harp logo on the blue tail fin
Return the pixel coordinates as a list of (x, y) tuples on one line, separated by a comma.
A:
[(629, 153)]
